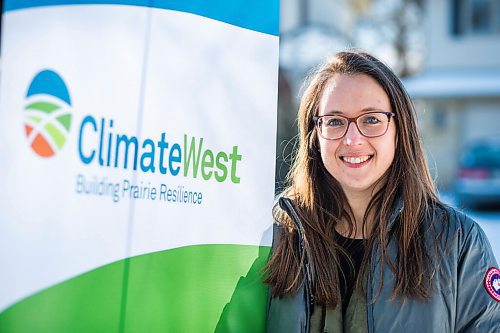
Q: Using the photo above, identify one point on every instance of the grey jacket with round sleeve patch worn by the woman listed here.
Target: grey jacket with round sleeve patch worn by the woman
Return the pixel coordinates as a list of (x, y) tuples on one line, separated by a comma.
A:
[(459, 301)]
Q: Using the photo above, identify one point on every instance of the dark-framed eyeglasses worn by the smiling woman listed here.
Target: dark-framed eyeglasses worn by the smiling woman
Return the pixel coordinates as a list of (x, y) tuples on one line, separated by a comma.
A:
[(371, 124)]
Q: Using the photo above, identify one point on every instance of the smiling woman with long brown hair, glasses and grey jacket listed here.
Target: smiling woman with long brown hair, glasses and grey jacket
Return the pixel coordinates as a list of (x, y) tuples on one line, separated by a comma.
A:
[(362, 243)]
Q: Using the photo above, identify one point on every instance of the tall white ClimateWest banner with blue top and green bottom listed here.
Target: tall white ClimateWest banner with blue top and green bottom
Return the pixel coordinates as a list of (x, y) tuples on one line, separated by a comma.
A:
[(137, 145)]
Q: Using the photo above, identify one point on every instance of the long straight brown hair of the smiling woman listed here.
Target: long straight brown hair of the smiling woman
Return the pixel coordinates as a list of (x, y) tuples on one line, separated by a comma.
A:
[(321, 203)]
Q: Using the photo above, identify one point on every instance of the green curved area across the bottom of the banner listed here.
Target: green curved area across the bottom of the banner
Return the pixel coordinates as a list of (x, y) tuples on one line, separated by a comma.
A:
[(202, 288)]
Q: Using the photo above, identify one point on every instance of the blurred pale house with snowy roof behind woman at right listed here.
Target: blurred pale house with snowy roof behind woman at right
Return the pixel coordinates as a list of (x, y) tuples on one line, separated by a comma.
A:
[(458, 91)]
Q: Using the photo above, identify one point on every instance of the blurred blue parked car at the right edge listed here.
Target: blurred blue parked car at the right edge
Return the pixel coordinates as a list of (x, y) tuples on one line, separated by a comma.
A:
[(478, 178)]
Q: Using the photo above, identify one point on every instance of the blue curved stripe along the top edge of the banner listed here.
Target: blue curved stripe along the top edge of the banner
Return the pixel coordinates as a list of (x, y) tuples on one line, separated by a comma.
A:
[(257, 15)]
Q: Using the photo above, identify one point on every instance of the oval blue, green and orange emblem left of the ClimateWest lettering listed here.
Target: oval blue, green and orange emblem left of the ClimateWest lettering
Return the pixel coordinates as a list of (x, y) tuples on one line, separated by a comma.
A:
[(47, 113)]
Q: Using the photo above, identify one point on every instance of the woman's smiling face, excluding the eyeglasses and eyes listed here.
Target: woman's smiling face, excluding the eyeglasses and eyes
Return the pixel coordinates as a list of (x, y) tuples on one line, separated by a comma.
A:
[(355, 161)]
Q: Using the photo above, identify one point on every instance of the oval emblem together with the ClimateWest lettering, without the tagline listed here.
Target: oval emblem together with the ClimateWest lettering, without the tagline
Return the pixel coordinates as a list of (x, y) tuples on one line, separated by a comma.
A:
[(102, 142)]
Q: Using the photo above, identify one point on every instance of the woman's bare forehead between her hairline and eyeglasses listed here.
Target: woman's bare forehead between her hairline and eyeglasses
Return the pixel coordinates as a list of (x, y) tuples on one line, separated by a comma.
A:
[(352, 94)]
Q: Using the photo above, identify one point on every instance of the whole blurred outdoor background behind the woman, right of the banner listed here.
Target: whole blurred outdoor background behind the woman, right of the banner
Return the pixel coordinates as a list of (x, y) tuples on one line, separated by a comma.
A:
[(448, 54)]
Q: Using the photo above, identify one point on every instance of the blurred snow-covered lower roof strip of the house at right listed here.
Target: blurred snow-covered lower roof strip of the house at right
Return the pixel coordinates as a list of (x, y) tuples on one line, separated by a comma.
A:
[(454, 83)]
